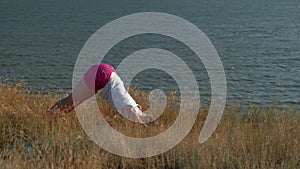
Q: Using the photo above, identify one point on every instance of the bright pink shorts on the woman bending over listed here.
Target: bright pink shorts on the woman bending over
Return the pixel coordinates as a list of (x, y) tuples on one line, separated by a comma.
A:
[(97, 76)]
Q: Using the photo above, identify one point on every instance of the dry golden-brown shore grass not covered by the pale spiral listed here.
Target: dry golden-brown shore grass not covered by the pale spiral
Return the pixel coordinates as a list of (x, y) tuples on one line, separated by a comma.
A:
[(263, 138)]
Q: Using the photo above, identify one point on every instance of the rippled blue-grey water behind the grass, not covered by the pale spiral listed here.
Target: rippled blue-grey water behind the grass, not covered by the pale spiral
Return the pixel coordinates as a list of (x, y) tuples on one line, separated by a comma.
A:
[(258, 43)]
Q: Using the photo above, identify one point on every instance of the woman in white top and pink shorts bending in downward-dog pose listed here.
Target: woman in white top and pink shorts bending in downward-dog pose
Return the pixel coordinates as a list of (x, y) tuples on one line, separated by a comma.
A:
[(111, 88)]
